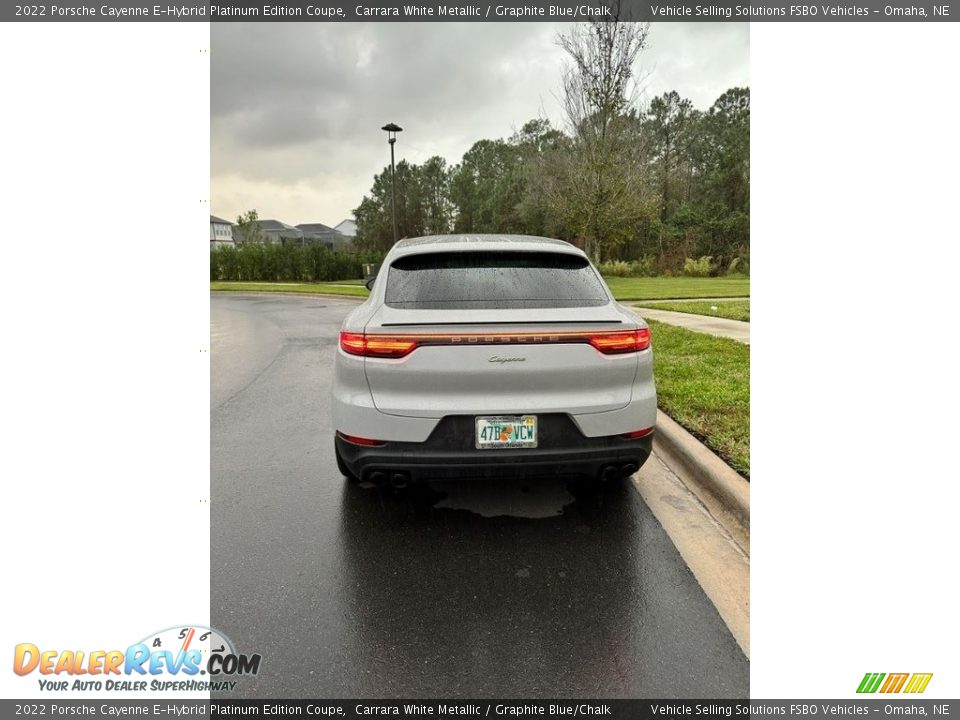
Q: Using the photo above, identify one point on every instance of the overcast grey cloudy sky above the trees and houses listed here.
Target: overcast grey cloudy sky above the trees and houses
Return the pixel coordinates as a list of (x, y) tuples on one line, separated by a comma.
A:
[(297, 107)]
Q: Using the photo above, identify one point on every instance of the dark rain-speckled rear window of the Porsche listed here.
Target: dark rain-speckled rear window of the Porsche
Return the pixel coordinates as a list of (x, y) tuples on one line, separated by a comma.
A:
[(479, 280)]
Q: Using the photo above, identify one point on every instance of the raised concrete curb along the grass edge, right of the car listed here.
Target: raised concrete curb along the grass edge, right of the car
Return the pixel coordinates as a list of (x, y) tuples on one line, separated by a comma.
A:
[(707, 470)]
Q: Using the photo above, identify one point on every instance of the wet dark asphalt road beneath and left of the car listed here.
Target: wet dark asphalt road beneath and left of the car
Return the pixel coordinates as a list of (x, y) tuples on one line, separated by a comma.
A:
[(505, 589)]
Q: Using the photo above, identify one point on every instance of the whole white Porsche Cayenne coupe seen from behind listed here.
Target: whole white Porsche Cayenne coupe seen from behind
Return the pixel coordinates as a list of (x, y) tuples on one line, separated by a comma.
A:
[(489, 353)]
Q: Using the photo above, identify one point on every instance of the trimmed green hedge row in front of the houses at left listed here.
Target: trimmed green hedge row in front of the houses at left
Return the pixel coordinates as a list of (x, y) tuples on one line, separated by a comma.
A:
[(289, 263)]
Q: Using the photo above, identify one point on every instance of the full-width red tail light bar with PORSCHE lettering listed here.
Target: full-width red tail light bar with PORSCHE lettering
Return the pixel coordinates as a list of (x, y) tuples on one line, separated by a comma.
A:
[(398, 346)]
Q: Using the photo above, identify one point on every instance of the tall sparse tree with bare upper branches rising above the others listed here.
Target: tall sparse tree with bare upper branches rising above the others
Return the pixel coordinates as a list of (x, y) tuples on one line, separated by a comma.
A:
[(599, 186)]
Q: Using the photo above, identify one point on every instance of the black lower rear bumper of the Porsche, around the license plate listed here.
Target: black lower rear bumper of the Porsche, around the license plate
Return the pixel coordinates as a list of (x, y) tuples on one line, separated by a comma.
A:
[(449, 453)]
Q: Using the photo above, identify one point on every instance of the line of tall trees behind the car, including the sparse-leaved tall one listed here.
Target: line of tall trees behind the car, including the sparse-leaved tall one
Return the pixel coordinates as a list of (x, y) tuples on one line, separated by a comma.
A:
[(653, 185)]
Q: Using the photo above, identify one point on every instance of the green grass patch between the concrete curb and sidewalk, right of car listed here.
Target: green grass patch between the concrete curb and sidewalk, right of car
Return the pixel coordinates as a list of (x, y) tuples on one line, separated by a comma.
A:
[(703, 382)]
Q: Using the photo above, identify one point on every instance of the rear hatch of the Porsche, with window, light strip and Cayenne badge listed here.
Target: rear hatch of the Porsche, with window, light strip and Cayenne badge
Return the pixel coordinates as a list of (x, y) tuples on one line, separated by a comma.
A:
[(499, 333)]
